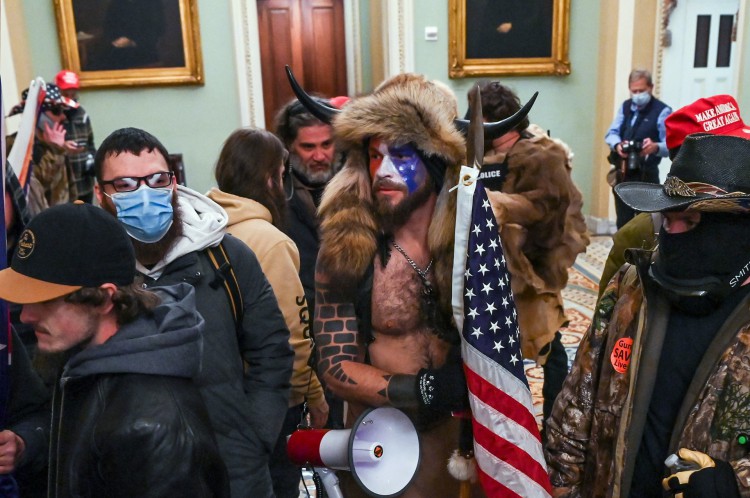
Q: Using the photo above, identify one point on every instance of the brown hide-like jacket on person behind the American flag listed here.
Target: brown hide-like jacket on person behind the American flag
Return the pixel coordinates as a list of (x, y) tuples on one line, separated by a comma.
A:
[(542, 230)]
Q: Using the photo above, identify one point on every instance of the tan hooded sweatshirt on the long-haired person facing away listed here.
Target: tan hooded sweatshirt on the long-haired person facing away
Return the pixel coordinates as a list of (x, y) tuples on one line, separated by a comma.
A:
[(250, 222)]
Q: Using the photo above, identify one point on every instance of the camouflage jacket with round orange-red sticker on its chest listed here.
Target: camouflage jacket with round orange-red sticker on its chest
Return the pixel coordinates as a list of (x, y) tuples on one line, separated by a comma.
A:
[(597, 422)]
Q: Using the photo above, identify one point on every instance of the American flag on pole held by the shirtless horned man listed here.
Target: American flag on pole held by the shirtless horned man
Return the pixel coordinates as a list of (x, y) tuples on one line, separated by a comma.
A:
[(507, 444)]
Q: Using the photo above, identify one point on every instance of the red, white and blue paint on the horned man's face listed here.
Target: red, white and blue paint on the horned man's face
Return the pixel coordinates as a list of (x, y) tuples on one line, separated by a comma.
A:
[(401, 164)]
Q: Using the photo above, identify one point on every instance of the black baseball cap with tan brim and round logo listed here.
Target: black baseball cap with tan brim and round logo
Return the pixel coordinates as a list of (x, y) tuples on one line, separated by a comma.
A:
[(65, 248)]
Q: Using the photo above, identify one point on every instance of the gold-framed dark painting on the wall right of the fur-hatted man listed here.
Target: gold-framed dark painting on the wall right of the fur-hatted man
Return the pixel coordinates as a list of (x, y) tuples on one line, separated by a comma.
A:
[(508, 37)]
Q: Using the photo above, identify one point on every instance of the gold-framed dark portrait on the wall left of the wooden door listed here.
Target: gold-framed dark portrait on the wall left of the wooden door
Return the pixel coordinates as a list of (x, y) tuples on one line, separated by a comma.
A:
[(115, 43)]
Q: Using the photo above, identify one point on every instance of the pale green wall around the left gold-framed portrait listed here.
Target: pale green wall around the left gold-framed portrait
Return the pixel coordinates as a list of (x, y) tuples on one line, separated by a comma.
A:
[(191, 120)]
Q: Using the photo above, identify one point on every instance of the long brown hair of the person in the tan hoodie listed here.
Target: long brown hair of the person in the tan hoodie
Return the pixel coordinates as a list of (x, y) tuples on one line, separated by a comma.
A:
[(250, 158)]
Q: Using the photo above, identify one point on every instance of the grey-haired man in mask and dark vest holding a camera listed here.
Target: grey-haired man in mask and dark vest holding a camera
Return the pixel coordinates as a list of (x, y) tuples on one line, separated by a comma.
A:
[(637, 137)]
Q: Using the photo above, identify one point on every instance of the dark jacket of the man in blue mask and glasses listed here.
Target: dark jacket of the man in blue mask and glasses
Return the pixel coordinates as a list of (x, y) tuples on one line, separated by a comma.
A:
[(247, 406)]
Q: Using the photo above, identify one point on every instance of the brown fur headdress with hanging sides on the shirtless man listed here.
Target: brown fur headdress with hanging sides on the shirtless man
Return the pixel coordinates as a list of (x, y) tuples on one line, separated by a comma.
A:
[(404, 109)]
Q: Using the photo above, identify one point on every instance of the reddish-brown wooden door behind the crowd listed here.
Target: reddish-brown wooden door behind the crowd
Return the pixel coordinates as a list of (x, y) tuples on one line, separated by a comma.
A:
[(309, 36)]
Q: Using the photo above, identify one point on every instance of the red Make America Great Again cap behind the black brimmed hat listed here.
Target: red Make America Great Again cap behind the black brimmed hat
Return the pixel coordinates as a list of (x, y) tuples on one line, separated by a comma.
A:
[(717, 115)]
